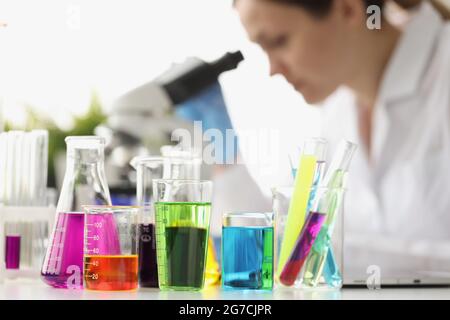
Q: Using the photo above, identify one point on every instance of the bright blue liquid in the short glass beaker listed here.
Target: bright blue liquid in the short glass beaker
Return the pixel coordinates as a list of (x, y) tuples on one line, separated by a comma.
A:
[(247, 257)]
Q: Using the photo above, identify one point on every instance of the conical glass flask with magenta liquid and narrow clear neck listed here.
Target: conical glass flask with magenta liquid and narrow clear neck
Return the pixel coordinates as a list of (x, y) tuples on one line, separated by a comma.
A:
[(84, 184)]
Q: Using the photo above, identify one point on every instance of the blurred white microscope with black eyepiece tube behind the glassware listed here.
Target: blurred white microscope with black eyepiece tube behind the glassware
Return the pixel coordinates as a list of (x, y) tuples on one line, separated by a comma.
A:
[(142, 120)]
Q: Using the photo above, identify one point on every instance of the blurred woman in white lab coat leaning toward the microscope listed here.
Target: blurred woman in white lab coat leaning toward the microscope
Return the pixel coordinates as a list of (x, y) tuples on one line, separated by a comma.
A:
[(388, 89)]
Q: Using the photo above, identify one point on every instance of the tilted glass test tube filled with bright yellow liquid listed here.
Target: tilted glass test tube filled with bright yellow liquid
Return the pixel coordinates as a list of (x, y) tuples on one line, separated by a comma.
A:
[(312, 160)]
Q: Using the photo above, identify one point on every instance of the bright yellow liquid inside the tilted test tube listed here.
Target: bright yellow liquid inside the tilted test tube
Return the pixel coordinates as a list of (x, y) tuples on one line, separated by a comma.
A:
[(297, 208)]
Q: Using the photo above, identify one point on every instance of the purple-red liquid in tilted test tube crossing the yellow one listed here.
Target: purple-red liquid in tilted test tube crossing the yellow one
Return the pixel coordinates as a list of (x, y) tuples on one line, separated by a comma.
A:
[(302, 248)]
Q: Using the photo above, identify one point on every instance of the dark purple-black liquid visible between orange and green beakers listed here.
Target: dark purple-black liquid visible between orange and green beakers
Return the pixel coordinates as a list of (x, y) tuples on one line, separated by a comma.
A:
[(148, 269)]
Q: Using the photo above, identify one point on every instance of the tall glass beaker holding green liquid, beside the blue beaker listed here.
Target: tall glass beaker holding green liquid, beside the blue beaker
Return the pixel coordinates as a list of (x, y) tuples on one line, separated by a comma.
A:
[(182, 214)]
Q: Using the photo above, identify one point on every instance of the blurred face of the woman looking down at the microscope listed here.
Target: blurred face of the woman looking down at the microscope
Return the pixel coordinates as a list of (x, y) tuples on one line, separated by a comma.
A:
[(312, 53)]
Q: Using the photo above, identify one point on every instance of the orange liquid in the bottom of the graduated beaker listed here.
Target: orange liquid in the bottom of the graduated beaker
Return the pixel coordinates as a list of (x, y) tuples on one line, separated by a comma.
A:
[(111, 273)]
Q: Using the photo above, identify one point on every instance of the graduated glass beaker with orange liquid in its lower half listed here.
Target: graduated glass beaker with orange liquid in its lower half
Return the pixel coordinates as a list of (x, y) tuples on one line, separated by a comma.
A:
[(110, 248)]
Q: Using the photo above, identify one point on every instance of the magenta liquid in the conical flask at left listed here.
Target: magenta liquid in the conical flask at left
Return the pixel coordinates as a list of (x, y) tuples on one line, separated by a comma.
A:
[(63, 263)]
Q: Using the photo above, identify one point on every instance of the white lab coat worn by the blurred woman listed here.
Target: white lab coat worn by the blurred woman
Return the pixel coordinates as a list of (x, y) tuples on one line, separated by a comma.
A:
[(397, 213)]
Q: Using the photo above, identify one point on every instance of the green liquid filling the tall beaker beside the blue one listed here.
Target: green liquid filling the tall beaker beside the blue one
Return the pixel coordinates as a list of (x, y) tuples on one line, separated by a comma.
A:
[(182, 242)]
